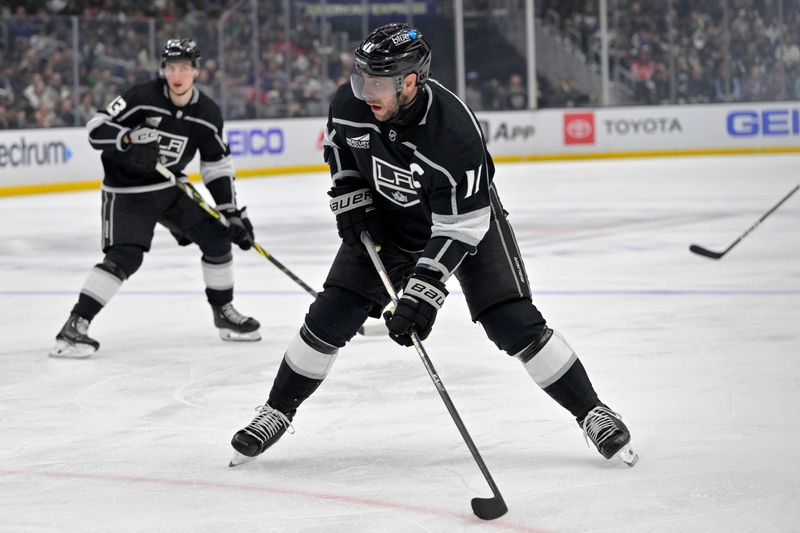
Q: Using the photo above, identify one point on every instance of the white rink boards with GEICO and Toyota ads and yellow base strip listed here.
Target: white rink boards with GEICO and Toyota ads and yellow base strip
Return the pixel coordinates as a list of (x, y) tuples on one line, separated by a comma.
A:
[(58, 159)]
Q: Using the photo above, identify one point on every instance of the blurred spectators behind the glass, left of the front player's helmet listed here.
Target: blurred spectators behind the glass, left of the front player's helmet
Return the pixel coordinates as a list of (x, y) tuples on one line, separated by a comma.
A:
[(118, 42)]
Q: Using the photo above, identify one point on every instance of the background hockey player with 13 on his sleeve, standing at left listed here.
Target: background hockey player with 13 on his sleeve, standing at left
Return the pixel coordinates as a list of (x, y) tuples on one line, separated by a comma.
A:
[(164, 120)]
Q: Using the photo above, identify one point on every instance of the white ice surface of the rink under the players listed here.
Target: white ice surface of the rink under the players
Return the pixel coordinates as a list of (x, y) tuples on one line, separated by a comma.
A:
[(701, 357)]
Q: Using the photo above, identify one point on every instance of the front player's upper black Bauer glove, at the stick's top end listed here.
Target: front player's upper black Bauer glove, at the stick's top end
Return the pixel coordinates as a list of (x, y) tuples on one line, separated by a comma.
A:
[(355, 213)]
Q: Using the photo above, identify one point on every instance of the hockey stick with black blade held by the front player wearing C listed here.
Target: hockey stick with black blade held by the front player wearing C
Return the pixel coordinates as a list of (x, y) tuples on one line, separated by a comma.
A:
[(484, 508)]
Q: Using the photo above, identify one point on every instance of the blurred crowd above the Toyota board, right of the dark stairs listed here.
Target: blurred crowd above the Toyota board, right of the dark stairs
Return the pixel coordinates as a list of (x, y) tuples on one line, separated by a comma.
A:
[(695, 51)]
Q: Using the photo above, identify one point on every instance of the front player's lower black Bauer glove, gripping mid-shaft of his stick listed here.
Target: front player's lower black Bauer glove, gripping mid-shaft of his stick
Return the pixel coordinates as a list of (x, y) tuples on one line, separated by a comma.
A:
[(416, 310)]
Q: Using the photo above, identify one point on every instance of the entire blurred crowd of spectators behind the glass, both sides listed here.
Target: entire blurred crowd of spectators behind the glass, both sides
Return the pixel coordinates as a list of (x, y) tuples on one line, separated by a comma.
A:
[(683, 51)]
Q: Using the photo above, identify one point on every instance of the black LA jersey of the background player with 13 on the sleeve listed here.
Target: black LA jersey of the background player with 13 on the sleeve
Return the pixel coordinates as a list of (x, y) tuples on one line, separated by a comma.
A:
[(182, 132)]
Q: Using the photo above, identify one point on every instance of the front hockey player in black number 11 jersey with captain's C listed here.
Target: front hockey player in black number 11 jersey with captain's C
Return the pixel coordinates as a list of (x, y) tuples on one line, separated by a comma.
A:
[(409, 166)]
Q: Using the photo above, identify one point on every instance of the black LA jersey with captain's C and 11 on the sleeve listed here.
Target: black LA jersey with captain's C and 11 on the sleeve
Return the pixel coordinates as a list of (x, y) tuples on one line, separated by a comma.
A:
[(430, 178)]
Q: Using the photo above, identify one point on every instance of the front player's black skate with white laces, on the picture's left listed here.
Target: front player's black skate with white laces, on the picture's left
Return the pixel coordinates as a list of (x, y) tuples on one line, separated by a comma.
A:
[(267, 427)]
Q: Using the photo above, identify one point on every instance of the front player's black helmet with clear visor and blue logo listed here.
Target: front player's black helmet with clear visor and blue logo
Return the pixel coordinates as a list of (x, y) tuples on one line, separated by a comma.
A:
[(396, 50)]
